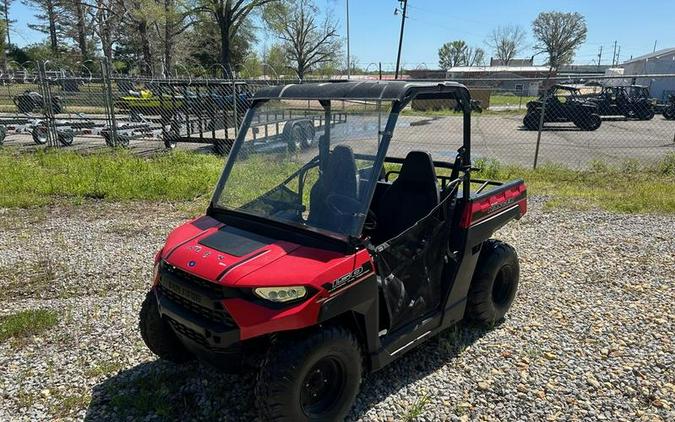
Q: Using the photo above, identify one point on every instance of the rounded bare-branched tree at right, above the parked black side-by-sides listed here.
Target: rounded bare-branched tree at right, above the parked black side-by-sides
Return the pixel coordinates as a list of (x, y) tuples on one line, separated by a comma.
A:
[(559, 35)]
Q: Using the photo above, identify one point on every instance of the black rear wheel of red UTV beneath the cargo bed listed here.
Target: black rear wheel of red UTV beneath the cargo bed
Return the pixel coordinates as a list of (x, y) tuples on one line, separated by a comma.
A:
[(494, 283)]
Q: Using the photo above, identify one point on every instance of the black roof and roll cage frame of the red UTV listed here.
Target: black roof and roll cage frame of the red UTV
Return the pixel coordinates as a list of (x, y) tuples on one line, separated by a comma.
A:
[(398, 93)]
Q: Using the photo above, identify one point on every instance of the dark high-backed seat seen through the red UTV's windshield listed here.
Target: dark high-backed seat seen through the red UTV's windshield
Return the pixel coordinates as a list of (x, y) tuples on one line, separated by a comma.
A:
[(339, 177)]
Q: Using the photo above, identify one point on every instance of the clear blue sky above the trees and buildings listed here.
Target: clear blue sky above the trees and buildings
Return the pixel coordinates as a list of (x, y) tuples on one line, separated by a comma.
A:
[(374, 27)]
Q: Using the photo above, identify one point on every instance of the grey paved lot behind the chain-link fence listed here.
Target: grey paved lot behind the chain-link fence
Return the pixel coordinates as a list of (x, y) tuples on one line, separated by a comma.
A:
[(493, 136)]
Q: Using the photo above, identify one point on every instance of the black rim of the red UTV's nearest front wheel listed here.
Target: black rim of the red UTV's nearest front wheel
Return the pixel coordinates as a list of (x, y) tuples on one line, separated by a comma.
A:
[(322, 388)]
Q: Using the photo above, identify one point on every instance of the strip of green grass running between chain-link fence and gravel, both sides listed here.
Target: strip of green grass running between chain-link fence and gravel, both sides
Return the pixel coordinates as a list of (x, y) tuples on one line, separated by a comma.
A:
[(48, 177)]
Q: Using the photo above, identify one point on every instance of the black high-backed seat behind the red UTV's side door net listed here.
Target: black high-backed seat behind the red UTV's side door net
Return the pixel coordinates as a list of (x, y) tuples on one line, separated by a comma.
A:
[(411, 196)]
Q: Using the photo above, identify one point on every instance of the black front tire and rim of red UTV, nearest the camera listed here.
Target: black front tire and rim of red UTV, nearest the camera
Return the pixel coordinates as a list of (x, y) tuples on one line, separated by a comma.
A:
[(311, 378)]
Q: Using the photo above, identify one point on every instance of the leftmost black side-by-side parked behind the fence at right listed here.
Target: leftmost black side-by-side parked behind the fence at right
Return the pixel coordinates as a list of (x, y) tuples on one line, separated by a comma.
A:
[(563, 104)]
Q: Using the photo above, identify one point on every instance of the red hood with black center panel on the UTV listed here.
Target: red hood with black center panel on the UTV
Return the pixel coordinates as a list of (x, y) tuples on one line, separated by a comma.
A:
[(229, 255)]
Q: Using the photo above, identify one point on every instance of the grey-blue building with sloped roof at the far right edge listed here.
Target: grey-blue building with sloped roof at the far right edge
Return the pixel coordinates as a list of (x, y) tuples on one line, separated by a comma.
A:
[(657, 63)]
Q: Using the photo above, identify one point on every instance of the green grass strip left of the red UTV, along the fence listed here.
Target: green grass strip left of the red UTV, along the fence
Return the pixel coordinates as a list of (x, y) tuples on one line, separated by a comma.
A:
[(45, 177)]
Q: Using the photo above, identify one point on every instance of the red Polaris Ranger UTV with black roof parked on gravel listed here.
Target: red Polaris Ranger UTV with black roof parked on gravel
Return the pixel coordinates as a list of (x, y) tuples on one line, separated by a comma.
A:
[(334, 260)]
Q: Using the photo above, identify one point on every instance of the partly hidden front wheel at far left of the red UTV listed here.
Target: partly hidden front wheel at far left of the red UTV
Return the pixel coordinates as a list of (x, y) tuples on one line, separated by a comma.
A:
[(158, 335)]
